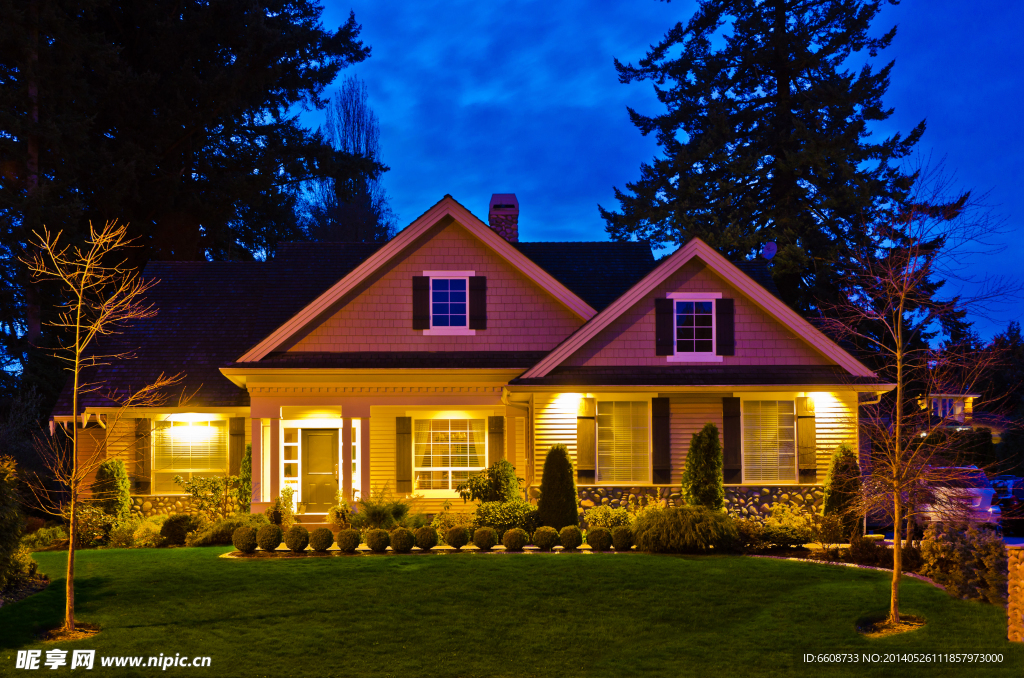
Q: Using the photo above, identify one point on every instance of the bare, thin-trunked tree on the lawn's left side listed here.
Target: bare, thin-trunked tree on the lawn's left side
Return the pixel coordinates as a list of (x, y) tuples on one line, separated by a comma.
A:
[(101, 298)]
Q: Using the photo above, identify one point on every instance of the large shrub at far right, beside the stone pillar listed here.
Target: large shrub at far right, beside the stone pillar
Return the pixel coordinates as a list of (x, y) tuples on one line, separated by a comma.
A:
[(969, 563)]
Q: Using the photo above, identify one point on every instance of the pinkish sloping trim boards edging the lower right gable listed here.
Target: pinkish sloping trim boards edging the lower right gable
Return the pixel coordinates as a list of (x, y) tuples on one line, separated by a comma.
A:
[(697, 248)]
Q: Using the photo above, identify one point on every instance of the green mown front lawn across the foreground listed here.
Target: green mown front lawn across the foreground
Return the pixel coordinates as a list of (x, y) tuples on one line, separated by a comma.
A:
[(475, 615)]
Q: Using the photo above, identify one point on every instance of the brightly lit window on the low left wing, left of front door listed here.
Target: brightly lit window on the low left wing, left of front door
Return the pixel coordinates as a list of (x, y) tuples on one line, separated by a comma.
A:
[(188, 449)]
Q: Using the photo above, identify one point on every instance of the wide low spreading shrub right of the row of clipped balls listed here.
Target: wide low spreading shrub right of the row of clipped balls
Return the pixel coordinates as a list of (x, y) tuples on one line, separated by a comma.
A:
[(685, 530)]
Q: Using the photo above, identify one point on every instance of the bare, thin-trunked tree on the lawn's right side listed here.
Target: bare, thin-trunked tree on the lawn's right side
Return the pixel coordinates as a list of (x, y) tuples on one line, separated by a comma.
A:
[(893, 312)]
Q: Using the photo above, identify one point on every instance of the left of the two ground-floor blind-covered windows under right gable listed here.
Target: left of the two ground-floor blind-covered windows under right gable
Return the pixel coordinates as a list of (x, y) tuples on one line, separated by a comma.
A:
[(623, 450)]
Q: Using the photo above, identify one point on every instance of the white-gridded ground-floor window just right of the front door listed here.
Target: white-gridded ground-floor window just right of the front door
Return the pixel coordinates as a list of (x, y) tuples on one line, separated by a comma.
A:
[(446, 452)]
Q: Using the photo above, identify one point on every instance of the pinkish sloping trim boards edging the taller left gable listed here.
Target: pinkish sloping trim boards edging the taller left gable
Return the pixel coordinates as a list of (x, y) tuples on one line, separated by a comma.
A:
[(447, 207)]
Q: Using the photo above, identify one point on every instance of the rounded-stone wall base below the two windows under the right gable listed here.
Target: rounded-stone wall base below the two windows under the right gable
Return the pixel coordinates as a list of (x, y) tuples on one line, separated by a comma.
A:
[(743, 500)]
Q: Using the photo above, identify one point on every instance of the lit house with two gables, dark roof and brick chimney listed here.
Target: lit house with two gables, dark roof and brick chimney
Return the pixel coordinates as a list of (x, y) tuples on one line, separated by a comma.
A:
[(417, 363)]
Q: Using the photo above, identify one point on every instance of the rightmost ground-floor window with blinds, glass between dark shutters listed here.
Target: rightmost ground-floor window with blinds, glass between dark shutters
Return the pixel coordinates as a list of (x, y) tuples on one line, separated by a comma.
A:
[(770, 442)]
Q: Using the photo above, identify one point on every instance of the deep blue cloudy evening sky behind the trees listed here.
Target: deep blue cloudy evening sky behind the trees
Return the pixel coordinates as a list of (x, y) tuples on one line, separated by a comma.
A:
[(476, 99)]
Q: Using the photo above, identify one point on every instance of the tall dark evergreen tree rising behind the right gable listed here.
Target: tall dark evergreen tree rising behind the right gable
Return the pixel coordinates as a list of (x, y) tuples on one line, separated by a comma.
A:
[(766, 138)]
